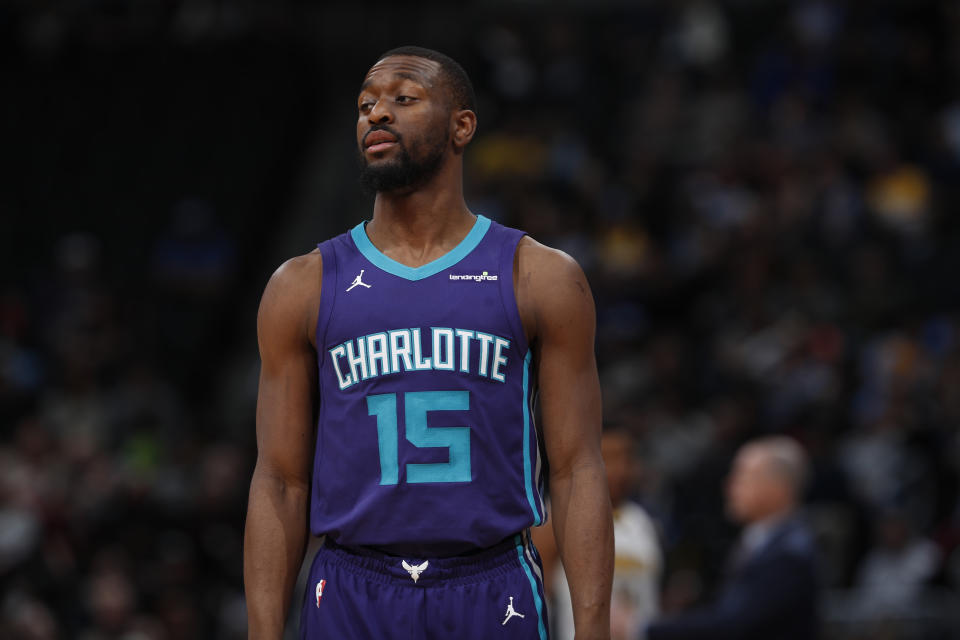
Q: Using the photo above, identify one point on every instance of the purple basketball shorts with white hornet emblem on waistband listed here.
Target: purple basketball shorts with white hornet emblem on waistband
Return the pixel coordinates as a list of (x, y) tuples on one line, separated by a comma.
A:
[(361, 594)]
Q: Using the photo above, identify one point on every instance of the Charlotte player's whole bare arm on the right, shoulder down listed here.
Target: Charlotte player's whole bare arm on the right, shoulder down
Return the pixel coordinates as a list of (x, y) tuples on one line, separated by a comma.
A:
[(555, 299)]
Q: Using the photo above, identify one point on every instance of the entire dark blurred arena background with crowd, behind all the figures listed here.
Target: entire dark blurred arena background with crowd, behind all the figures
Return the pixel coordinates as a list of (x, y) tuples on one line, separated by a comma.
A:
[(763, 193)]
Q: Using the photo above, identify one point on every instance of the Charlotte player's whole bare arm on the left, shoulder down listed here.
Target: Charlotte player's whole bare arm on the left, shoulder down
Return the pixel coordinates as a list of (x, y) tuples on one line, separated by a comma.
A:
[(276, 527)]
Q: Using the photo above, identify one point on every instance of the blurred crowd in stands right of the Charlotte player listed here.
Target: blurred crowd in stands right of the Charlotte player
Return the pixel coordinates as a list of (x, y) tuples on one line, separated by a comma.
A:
[(767, 219)]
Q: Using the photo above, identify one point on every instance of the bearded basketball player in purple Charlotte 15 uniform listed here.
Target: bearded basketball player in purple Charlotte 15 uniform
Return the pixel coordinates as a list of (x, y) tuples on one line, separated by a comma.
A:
[(421, 338)]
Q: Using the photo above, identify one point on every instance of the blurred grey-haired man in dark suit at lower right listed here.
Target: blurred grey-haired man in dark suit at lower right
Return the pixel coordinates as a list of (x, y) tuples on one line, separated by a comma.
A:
[(770, 591)]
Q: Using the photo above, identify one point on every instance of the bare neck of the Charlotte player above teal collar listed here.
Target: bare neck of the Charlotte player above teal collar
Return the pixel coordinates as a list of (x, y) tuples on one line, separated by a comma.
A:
[(417, 226)]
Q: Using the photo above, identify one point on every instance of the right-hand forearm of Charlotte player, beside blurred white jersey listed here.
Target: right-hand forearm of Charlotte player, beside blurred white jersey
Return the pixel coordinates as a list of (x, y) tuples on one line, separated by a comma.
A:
[(584, 532)]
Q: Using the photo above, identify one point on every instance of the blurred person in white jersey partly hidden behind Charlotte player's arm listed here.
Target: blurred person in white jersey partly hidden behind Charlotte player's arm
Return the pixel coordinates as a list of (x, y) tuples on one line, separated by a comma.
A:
[(637, 557)]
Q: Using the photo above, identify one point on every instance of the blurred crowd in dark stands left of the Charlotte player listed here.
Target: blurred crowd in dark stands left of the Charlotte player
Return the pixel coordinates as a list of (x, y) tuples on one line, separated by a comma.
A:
[(121, 510)]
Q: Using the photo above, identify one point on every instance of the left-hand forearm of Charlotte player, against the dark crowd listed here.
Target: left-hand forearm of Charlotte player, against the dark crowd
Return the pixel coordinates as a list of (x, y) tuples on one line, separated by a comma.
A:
[(274, 543)]
